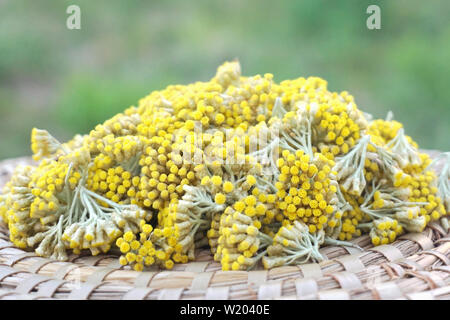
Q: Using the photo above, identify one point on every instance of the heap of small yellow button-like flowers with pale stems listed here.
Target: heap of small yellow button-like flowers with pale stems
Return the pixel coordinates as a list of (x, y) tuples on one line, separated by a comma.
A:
[(258, 171)]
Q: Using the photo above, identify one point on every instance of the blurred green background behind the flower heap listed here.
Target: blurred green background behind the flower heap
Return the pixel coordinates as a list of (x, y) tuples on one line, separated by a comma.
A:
[(67, 81)]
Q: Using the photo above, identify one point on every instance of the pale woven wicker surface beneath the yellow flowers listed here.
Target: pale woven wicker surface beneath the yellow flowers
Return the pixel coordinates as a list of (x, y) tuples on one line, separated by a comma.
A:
[(415, 266)]
